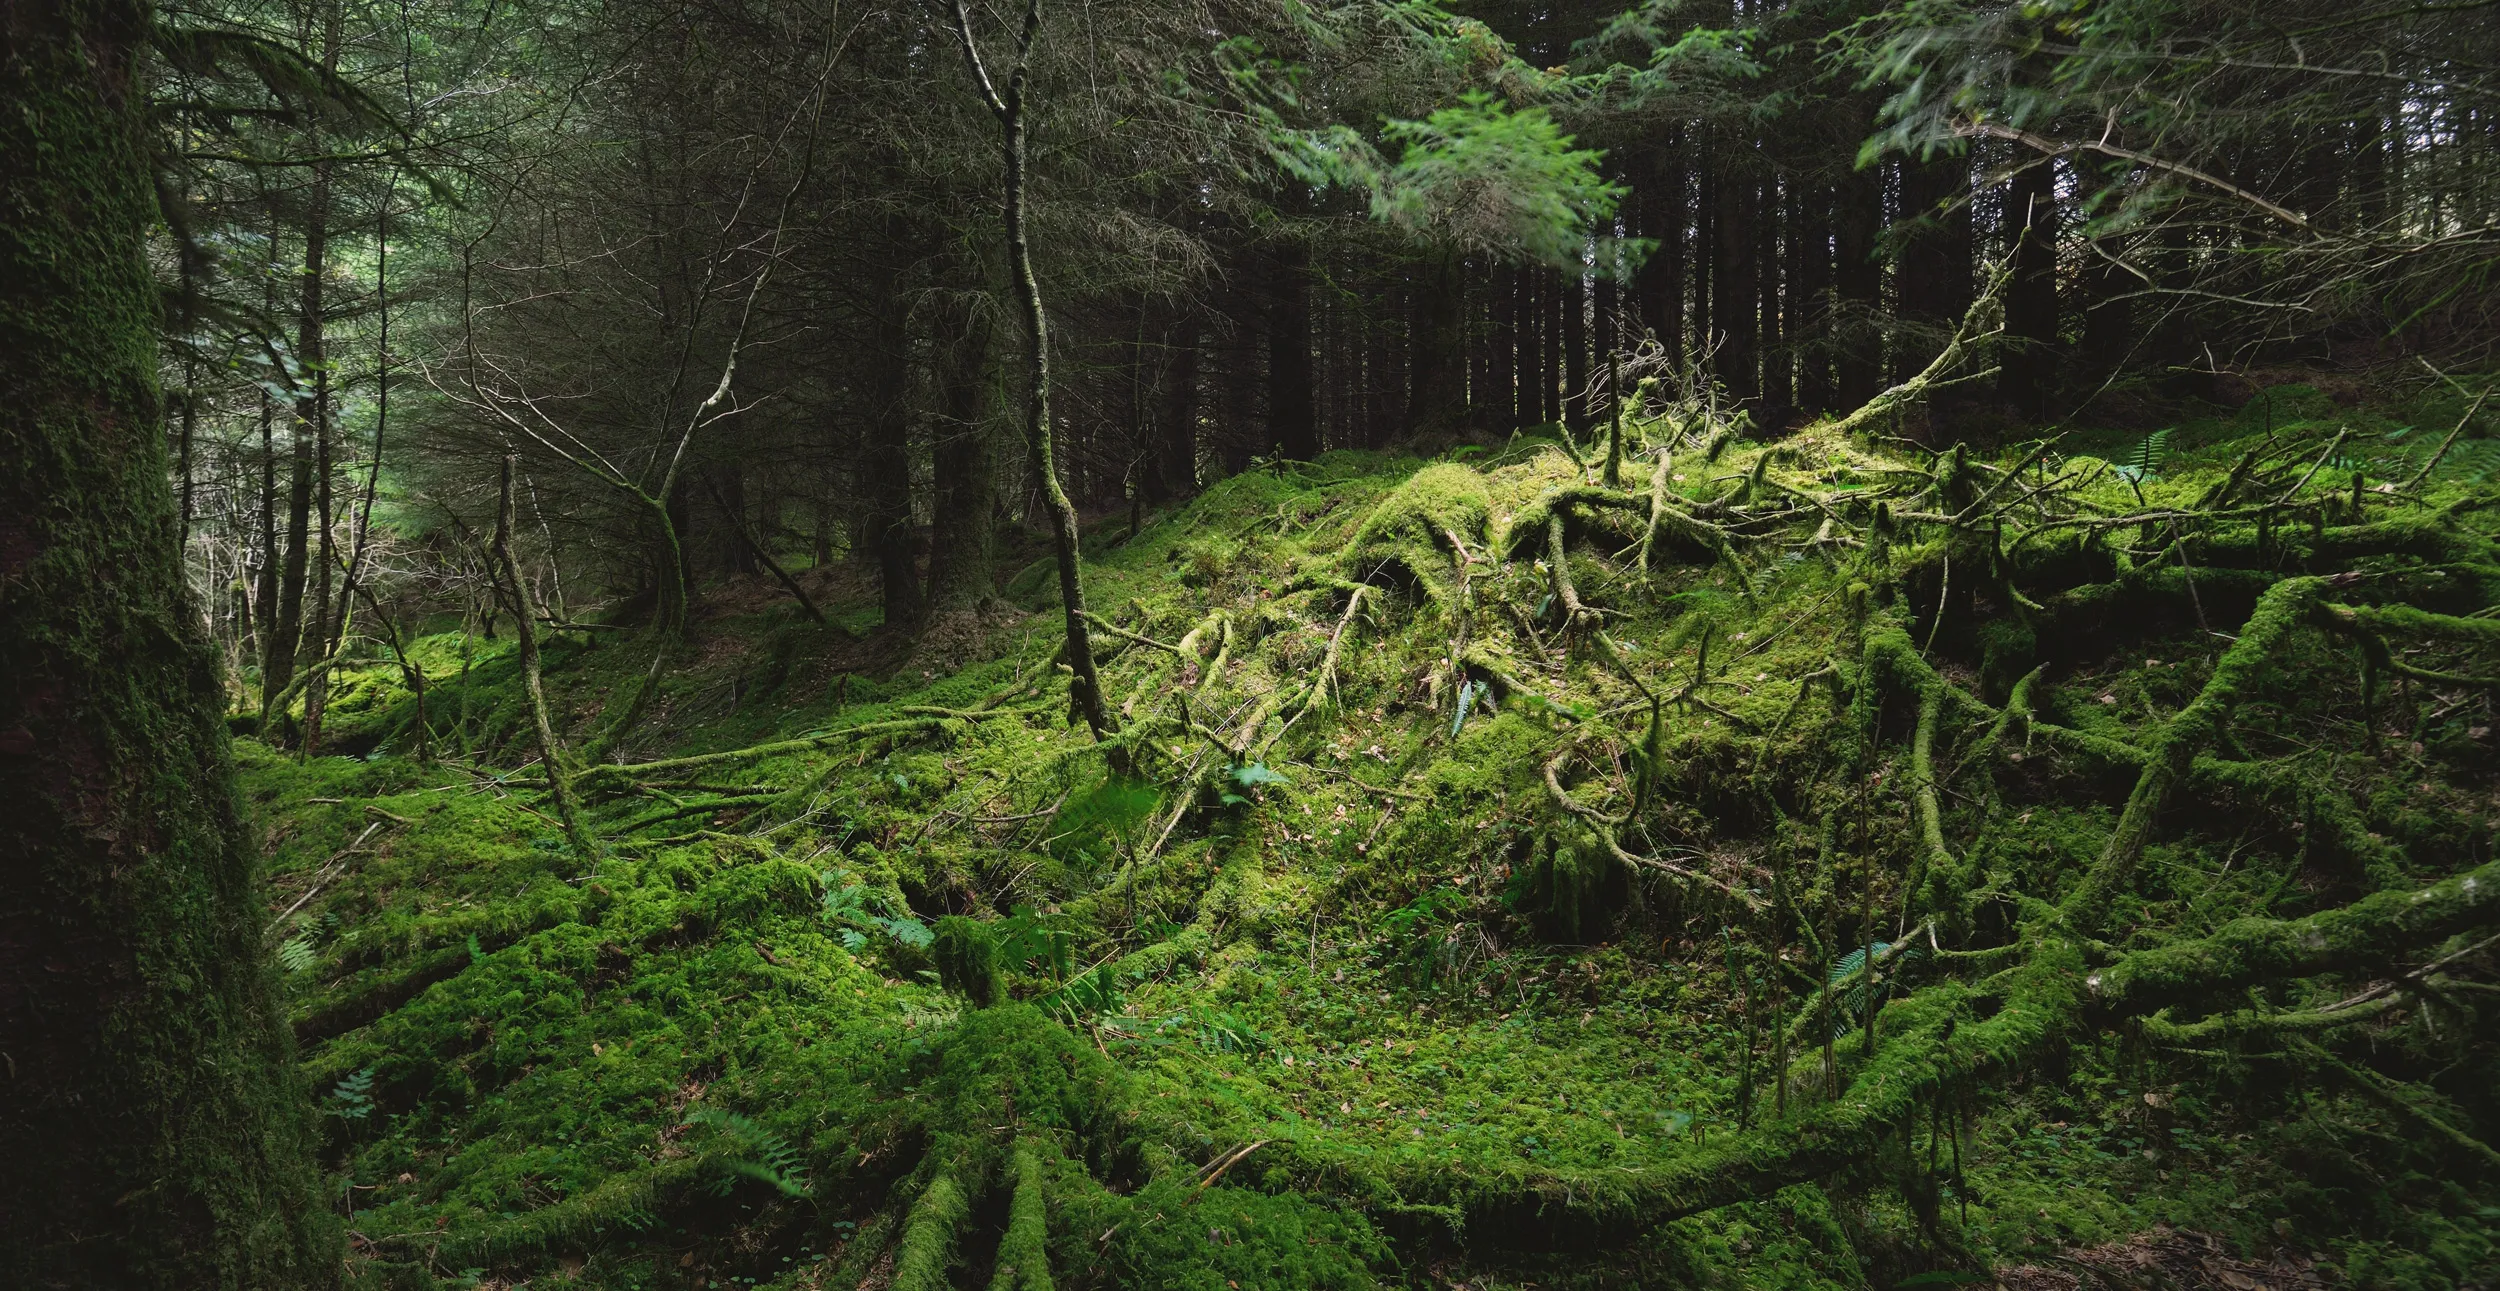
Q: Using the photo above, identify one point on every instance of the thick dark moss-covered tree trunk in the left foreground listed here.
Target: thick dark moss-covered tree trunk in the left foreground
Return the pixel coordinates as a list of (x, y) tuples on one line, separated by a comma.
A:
[(149, 1115)]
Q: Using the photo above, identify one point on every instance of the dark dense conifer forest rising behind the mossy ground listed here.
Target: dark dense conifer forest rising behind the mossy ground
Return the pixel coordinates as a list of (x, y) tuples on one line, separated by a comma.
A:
[(731, 289)]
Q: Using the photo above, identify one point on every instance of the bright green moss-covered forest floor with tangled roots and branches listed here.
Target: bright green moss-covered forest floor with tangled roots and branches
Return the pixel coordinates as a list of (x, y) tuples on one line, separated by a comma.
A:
[(1441, 922)]
